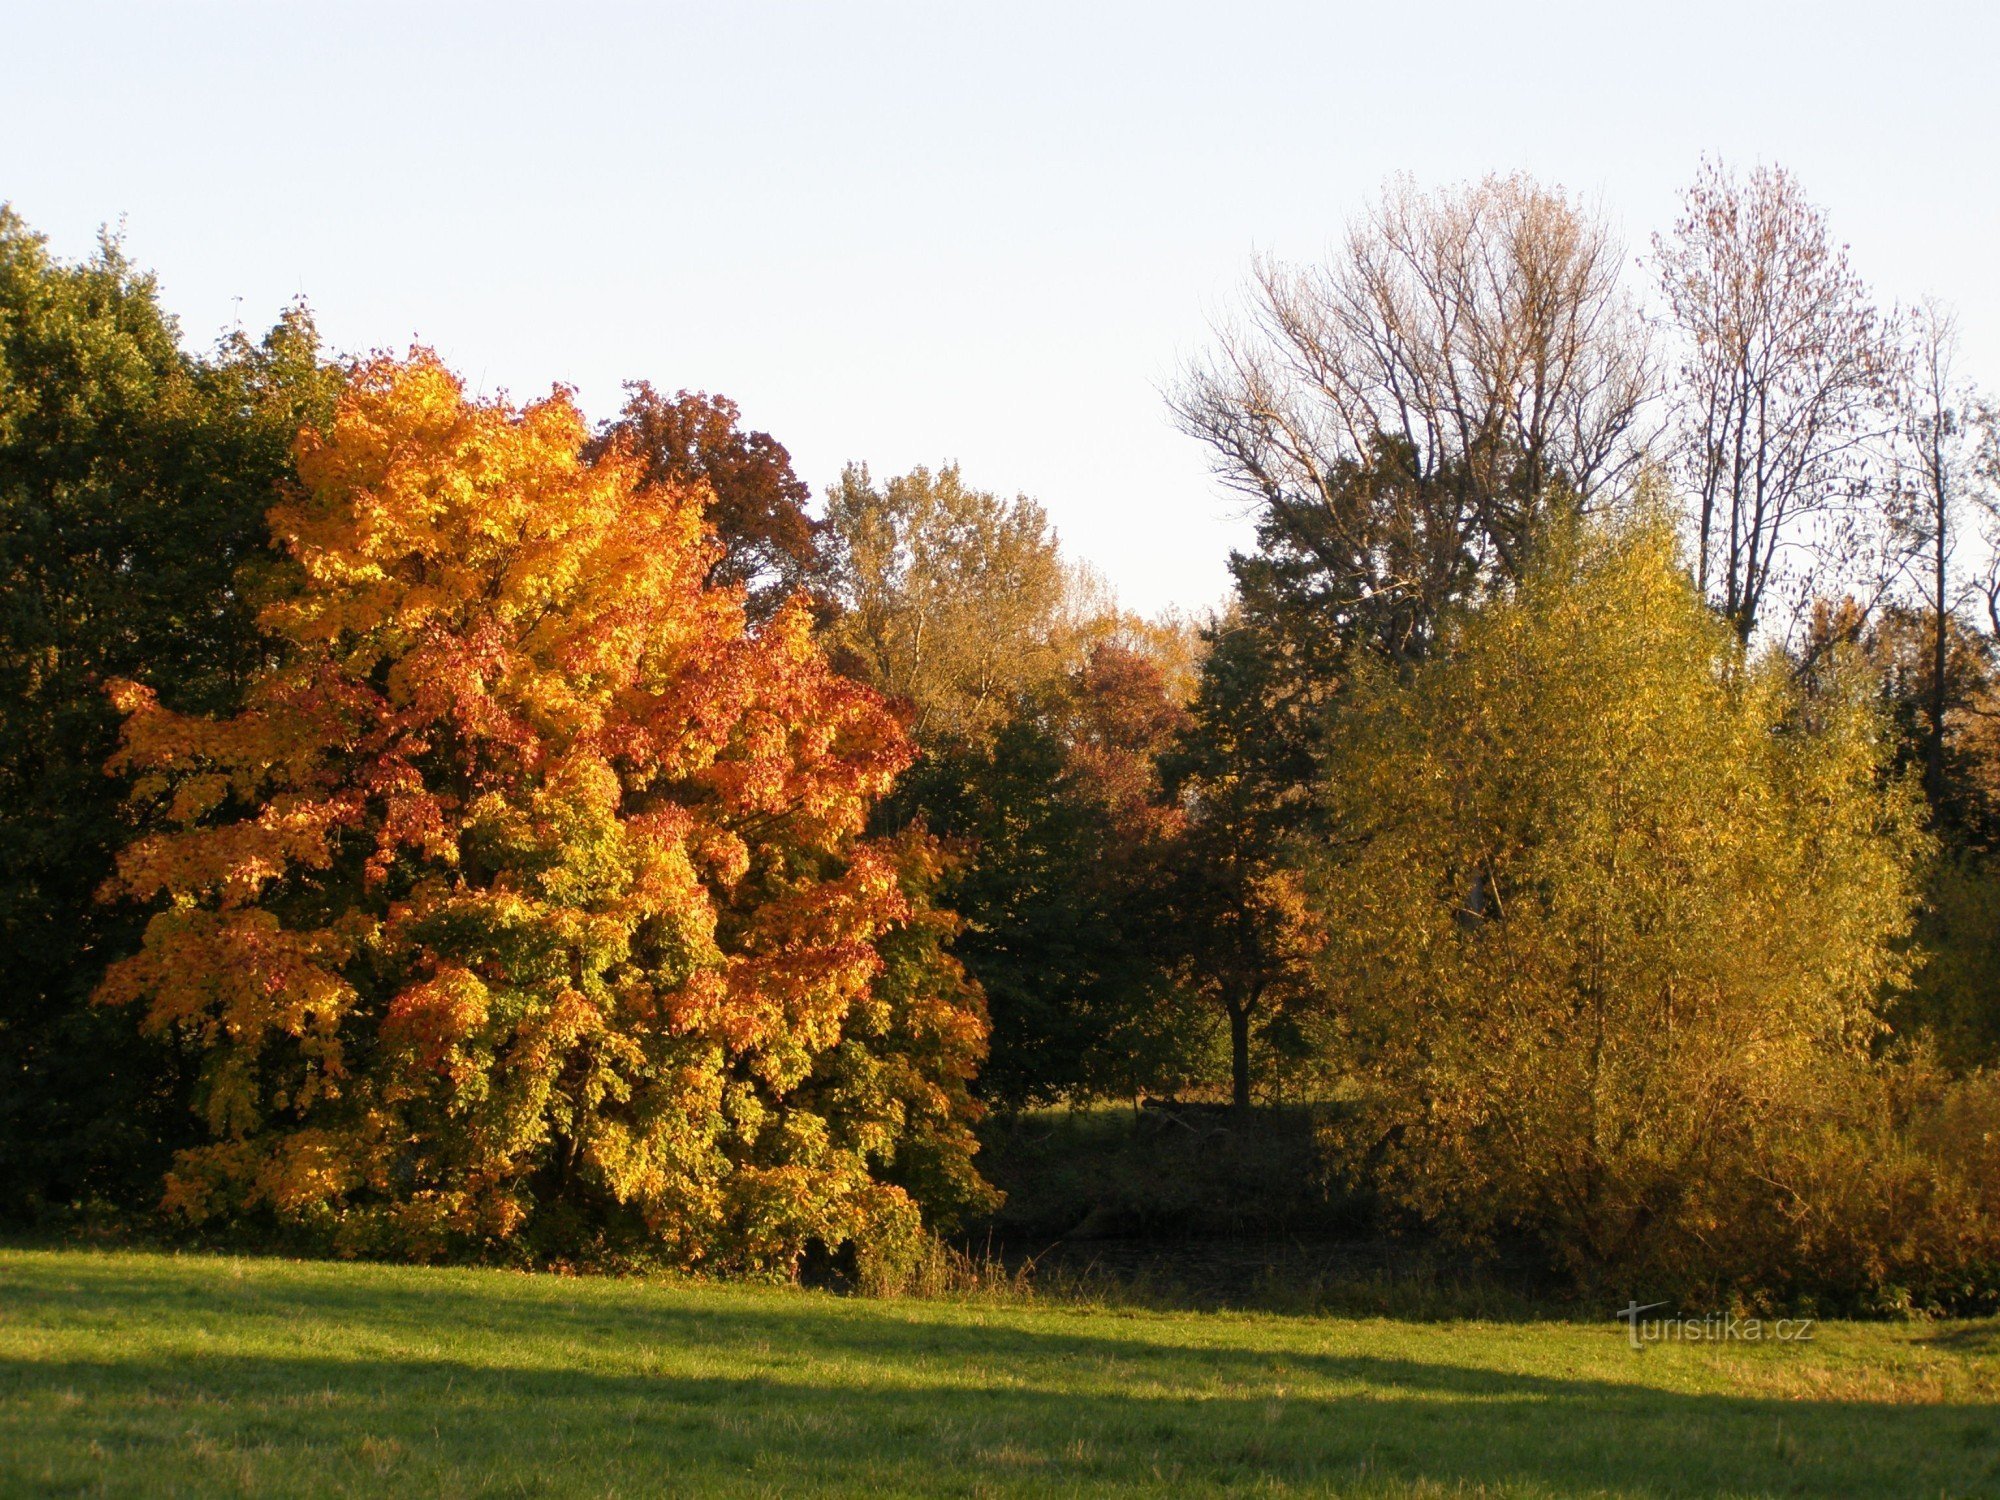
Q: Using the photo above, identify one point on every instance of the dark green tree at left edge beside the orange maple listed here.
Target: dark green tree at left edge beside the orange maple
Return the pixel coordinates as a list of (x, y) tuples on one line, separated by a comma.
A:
[(133, 491)]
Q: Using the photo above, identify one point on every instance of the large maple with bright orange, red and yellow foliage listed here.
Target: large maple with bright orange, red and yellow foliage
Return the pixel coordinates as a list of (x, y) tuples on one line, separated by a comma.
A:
[(525, 903)]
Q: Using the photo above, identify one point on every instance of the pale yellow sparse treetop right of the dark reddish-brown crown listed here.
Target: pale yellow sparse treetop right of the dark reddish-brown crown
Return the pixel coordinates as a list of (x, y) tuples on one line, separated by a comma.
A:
[(953, 599)]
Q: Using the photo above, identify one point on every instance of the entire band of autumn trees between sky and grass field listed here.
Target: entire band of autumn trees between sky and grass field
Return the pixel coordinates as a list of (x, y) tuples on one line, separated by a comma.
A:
[(447, 829)]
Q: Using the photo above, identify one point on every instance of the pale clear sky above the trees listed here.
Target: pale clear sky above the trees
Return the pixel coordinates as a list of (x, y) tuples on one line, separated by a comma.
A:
[(931, 233)]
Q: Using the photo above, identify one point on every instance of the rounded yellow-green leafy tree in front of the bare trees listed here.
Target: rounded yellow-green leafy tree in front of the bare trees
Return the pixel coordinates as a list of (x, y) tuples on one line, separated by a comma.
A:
[(1611, 911)]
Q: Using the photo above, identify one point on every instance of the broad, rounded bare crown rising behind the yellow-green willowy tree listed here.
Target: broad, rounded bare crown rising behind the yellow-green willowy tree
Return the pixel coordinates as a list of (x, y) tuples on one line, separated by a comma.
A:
[(1401, 413)]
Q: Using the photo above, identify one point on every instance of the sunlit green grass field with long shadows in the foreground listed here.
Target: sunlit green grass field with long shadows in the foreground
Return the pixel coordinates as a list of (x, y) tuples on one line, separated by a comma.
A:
[(207, 1377)]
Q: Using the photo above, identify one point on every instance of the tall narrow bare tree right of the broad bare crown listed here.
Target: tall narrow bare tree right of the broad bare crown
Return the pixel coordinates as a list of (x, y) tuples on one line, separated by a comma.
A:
[(1781, 397)]
